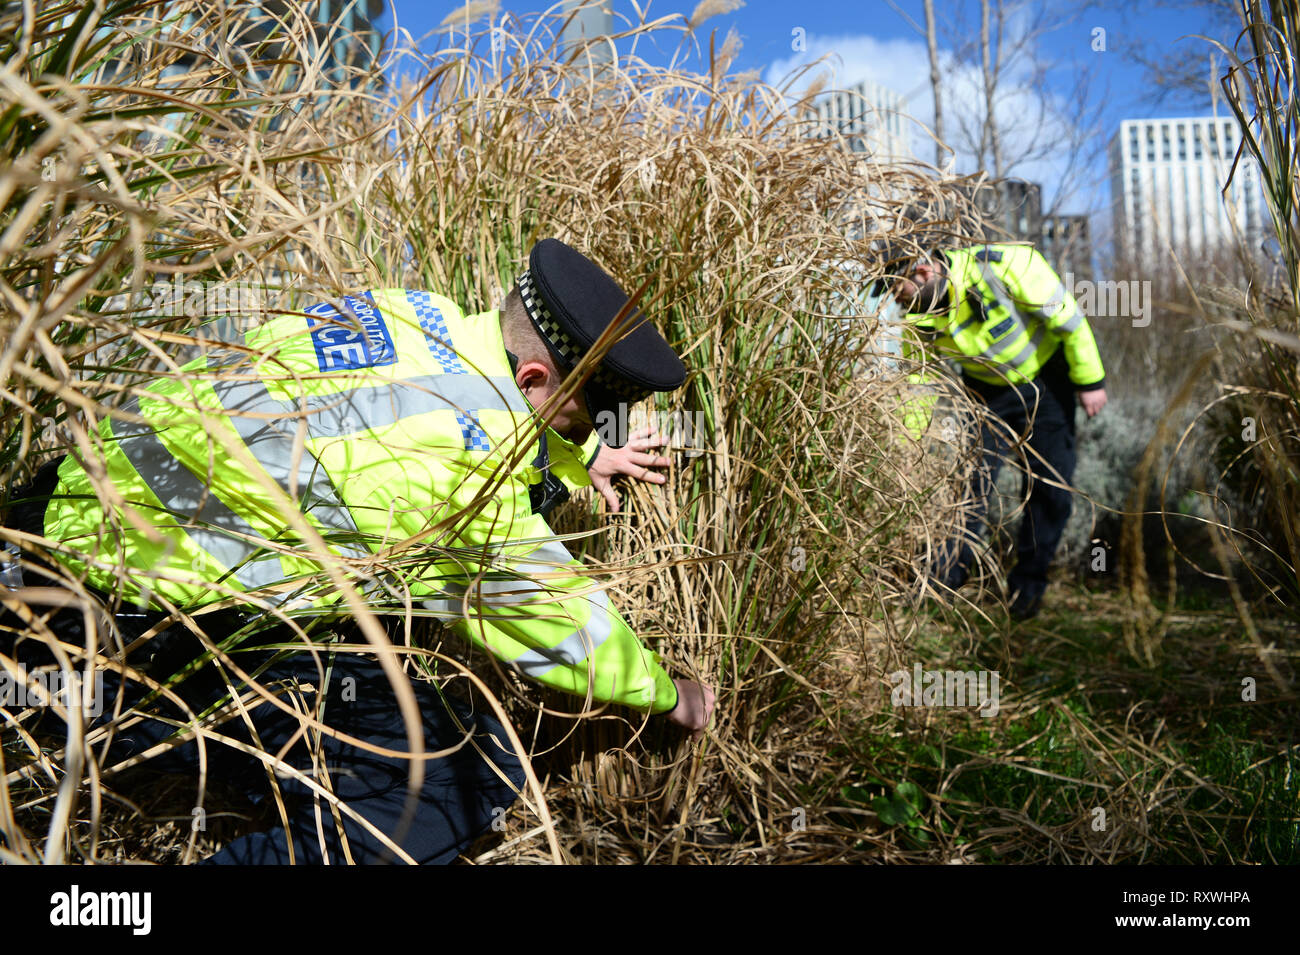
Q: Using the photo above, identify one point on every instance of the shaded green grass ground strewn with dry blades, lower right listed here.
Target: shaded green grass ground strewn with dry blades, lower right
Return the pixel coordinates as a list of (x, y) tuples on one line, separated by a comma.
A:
[(1093, 757)]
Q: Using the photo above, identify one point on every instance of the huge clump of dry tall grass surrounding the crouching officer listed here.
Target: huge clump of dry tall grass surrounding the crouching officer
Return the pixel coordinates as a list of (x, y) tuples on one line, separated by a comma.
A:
[(149, 151)]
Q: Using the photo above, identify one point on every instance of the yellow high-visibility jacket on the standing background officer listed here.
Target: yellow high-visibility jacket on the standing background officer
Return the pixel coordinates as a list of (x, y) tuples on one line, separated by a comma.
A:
[(1008, 315)]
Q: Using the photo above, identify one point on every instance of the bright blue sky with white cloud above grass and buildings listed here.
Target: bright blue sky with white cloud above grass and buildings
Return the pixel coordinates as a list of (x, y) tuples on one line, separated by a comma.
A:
[(879, 41)]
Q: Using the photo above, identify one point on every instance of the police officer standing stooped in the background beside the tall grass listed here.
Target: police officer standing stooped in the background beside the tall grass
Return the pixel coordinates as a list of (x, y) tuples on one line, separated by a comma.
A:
[(1026, 350)]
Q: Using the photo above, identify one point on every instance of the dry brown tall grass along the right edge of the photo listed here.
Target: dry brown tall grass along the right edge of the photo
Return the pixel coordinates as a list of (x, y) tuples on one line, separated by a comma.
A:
[(1247, 427)]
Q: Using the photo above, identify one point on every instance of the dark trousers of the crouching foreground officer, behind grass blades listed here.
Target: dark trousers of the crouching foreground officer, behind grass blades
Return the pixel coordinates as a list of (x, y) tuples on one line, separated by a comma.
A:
[(461, 797)]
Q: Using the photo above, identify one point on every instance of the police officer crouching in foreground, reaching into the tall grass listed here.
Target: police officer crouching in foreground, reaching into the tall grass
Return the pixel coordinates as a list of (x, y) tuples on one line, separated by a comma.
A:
[(396, 420)]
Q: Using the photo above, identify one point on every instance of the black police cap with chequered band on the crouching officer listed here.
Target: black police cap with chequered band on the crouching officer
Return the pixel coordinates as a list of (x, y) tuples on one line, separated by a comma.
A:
[(571, 302)]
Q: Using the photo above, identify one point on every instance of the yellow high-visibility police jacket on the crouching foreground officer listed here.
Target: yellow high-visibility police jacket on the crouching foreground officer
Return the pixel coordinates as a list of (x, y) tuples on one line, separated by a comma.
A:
[(397, 419)]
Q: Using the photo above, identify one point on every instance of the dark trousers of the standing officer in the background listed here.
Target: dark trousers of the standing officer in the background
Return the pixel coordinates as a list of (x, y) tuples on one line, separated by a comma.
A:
[(1045, 411)]
